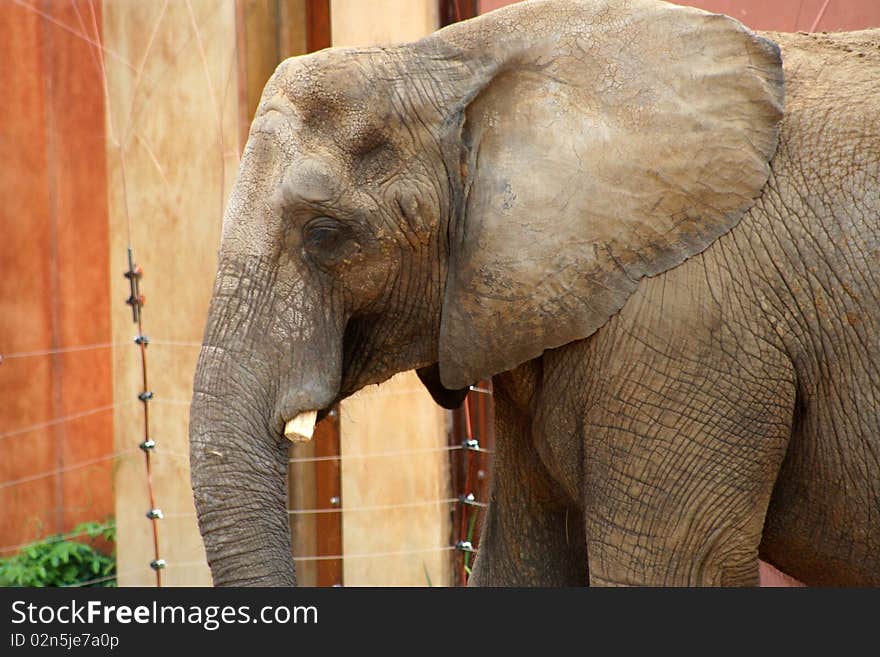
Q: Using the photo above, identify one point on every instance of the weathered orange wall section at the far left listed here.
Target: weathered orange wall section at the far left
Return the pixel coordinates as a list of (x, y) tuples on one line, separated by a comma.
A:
[(54, 264)]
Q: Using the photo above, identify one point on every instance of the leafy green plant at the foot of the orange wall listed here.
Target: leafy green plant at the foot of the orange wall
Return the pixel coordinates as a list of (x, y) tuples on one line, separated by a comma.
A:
[(59, 561)]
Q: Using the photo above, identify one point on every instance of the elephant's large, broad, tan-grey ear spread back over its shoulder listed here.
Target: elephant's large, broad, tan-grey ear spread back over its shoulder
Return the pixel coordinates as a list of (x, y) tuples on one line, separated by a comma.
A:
[(600, 142)]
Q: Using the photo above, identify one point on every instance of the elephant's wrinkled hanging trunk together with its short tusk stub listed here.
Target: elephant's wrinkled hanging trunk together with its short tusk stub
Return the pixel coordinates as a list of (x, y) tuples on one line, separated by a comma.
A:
[(266, 366)]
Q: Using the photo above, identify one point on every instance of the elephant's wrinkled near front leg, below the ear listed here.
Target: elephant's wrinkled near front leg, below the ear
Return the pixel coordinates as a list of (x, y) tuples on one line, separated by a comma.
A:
[(682, 453)]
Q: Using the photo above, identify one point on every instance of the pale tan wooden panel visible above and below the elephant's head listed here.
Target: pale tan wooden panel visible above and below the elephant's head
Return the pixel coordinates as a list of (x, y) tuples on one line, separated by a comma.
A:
[(399, 415)]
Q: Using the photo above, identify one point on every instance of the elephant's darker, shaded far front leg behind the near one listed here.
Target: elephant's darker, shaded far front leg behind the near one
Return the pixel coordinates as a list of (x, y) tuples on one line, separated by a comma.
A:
[(533, 534)]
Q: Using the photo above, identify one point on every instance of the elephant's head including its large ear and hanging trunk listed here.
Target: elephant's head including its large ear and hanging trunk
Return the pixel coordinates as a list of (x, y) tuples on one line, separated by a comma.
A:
[(459, 204)]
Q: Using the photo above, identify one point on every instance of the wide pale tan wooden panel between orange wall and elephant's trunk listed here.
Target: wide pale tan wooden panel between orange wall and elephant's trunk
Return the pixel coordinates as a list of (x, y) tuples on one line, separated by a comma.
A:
[(172, 158)]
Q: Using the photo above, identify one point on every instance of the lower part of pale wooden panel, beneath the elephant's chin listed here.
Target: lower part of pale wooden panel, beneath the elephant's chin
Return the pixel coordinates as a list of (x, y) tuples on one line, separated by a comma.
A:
[(407, 479)]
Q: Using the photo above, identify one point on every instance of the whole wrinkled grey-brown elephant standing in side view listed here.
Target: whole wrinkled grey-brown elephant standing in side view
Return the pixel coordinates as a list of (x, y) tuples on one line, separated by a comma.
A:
[(656, 230)]
